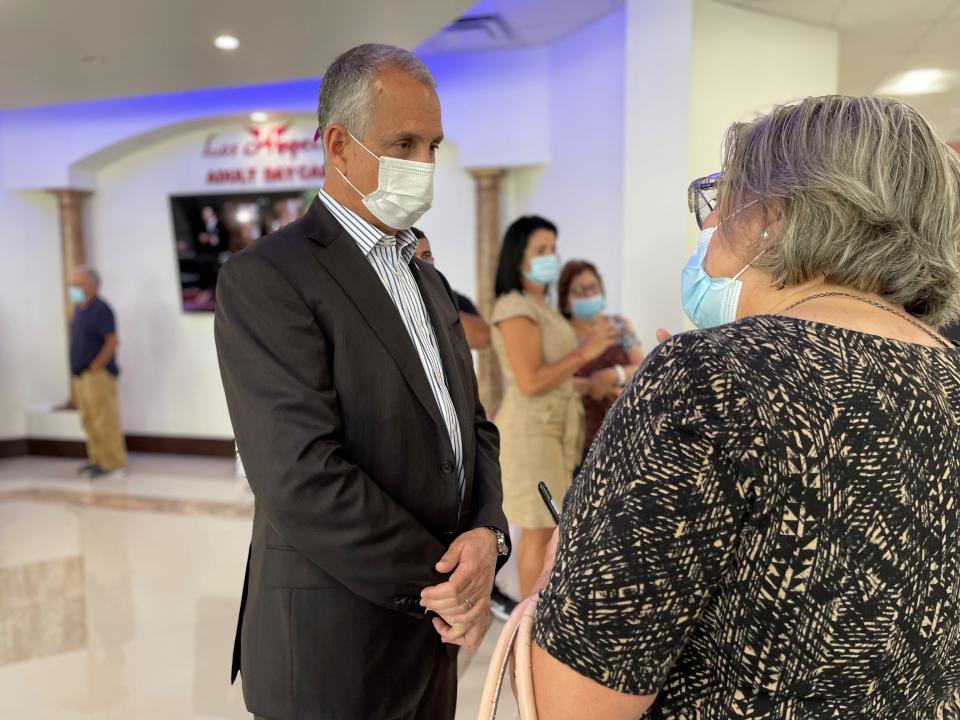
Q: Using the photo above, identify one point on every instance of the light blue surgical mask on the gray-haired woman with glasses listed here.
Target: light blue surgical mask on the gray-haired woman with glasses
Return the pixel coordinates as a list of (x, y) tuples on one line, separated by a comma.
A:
[(708, 301)]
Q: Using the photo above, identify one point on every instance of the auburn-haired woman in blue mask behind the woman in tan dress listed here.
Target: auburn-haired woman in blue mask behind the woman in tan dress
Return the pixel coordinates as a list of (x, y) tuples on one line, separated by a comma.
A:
[(599, 382)]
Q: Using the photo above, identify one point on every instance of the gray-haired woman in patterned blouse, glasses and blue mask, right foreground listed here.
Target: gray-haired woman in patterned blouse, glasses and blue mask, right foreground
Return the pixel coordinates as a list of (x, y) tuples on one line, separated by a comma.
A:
[(767, 524)]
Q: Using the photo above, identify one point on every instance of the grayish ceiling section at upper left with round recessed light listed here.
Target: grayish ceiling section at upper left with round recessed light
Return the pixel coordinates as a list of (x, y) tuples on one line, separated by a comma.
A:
[(157, 46)]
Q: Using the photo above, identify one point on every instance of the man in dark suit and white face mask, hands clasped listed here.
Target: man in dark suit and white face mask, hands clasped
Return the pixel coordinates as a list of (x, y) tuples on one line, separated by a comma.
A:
[(378, 525)]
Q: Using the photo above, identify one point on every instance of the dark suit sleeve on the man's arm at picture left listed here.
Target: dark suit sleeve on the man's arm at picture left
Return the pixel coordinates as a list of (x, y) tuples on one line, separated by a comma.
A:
[(285, 414)]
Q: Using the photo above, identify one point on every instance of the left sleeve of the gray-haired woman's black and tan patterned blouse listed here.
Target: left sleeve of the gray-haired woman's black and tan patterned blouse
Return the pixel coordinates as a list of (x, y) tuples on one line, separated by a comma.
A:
[(649, 525)]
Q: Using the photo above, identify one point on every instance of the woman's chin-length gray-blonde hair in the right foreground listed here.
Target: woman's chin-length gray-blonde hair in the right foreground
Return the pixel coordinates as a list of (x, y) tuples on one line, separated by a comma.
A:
[(867, 194)]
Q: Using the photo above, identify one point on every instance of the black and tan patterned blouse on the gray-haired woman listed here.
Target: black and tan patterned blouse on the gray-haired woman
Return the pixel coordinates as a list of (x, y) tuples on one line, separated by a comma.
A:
[(768, 526)]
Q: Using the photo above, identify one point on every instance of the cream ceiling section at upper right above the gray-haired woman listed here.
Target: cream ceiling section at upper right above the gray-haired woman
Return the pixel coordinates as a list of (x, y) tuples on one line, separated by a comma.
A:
[(882, 38)]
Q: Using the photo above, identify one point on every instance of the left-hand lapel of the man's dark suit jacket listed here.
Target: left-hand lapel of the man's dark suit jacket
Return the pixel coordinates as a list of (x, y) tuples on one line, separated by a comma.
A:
[(343, 259)]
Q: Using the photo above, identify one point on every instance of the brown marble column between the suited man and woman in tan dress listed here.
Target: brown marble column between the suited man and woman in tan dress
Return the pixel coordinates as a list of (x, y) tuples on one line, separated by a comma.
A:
[(488, 251)]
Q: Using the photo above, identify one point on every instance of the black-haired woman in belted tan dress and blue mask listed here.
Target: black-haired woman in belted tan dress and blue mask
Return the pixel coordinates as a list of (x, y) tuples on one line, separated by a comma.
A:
[(541, 417)]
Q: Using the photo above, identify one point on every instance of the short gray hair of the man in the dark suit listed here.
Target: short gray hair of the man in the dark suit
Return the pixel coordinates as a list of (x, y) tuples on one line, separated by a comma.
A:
[(345, 94)]
